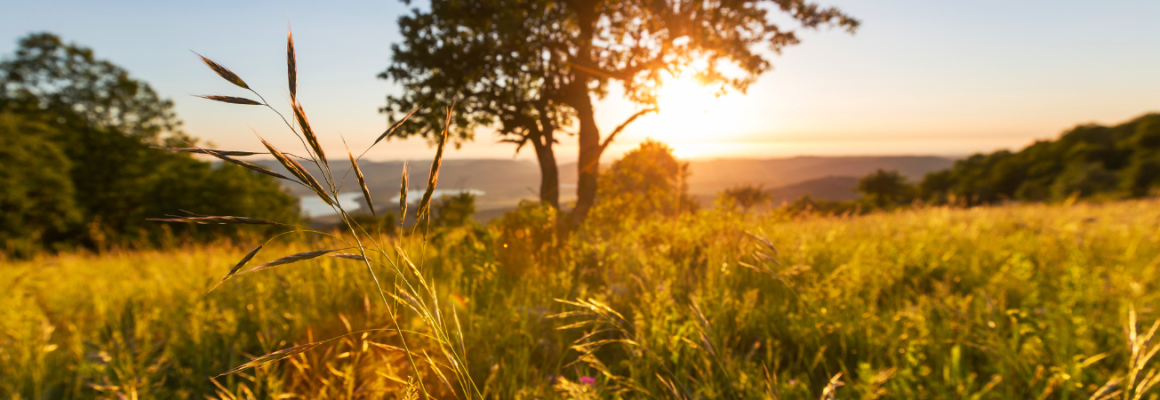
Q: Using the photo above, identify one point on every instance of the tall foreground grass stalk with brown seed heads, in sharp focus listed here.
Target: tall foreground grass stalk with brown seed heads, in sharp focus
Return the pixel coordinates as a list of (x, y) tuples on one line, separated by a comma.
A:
[(410, 290)]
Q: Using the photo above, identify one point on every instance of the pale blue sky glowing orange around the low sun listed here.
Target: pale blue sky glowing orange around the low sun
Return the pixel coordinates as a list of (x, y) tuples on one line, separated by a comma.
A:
[(932, 78)]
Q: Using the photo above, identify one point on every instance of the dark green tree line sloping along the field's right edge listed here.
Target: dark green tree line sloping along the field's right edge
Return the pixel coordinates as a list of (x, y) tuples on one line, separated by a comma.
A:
[(1087, 162)]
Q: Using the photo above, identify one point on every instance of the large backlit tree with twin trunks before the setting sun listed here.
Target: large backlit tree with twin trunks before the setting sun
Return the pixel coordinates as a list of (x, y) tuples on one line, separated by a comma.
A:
[(533, 67)]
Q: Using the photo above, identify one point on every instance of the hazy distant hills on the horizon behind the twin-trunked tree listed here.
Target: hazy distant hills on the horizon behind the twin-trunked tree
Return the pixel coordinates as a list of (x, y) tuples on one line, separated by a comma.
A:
[(505, 183)]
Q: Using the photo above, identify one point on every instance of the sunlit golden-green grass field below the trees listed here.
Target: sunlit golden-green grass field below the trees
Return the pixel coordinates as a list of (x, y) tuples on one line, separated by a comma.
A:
[(1016, 302)]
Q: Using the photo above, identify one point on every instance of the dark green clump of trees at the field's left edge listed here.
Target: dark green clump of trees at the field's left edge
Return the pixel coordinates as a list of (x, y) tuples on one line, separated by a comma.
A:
[(77, 137)]
